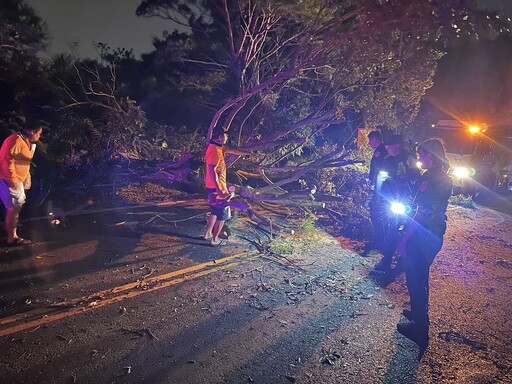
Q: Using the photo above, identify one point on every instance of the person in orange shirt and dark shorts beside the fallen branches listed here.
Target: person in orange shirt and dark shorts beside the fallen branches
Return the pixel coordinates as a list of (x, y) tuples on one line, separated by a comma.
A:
[(218, 193)]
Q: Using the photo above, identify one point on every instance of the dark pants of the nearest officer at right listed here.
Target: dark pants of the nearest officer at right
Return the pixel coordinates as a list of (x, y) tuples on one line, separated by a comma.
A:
[(422, 248)]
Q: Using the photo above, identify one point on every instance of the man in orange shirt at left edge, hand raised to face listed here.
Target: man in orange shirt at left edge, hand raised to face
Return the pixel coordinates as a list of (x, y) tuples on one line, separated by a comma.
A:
[(16, 155)]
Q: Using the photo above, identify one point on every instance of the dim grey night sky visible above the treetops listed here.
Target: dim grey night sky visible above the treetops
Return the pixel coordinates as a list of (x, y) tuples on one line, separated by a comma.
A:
[(114, 22)]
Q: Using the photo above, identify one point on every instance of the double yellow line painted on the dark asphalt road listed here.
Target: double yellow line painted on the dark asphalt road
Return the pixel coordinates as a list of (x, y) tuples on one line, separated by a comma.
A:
[(41, 316)]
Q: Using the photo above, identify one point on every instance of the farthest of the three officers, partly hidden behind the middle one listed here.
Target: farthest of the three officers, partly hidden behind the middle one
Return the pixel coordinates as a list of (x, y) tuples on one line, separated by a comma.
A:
[(375, 203)]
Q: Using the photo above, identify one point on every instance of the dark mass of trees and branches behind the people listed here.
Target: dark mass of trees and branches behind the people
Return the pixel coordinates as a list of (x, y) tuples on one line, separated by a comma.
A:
[(292, 81)]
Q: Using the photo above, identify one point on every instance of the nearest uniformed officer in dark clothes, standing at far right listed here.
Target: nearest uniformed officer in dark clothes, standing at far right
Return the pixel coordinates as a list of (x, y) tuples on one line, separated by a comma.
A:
[(423, 238)]
